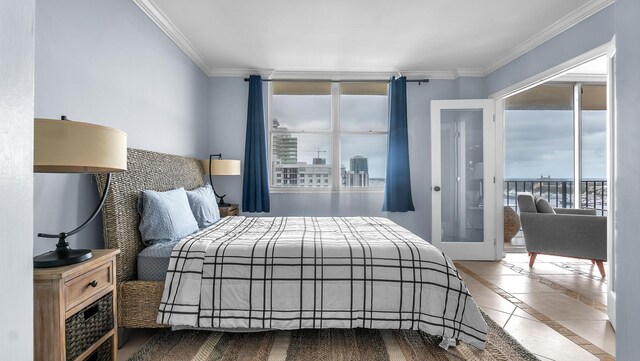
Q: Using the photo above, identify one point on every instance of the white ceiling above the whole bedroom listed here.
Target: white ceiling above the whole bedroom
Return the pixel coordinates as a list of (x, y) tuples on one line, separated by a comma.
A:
[(435, 38)]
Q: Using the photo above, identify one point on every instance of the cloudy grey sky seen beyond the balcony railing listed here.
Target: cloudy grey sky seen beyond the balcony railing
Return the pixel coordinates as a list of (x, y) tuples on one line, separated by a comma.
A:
[(540, 142)]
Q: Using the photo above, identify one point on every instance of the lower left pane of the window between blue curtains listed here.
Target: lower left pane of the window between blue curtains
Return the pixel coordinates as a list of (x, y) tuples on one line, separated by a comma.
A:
[(301, 160)]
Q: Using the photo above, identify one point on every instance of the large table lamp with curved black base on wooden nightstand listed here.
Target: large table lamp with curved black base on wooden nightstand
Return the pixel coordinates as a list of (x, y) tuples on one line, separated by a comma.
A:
[(64, 146)]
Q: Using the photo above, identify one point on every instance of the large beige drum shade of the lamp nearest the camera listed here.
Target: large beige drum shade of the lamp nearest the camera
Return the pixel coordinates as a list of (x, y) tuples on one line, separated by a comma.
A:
[(63, 146)]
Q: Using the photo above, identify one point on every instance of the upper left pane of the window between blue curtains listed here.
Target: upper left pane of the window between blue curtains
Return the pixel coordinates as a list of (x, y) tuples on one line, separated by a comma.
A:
[(301, 106)]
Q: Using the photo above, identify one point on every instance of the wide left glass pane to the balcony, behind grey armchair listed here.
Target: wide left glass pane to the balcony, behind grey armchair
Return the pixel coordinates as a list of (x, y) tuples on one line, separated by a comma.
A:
[(538, 138)]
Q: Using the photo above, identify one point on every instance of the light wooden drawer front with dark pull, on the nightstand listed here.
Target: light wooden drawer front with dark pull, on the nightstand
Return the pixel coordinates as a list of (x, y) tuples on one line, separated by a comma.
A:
[(83, 287)]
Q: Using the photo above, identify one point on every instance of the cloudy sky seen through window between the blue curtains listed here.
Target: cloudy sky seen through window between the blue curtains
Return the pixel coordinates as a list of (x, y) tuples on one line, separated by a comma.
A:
[(309, 113)]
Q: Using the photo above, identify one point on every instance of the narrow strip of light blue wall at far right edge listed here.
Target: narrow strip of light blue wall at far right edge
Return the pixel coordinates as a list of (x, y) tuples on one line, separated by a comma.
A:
[(627, 201)]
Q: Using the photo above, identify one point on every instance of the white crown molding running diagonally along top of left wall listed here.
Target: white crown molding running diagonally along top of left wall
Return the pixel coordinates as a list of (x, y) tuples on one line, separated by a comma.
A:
[(173, 33)]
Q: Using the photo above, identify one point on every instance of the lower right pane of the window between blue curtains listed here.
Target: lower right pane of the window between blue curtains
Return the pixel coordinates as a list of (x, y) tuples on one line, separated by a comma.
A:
[(363, 160)]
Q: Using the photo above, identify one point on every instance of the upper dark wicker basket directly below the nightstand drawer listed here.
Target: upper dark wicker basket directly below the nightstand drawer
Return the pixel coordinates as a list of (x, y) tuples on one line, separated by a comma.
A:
[(87, 326)]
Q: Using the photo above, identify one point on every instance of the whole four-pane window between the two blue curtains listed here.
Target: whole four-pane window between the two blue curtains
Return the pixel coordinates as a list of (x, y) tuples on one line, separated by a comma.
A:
[(334, 134)]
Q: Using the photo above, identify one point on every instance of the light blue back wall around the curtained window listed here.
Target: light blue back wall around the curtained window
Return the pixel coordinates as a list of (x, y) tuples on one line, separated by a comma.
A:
[(228, 105)]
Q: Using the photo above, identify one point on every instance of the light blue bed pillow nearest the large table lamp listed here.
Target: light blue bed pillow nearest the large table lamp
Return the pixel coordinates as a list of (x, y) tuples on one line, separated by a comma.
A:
[(165, 216)]
